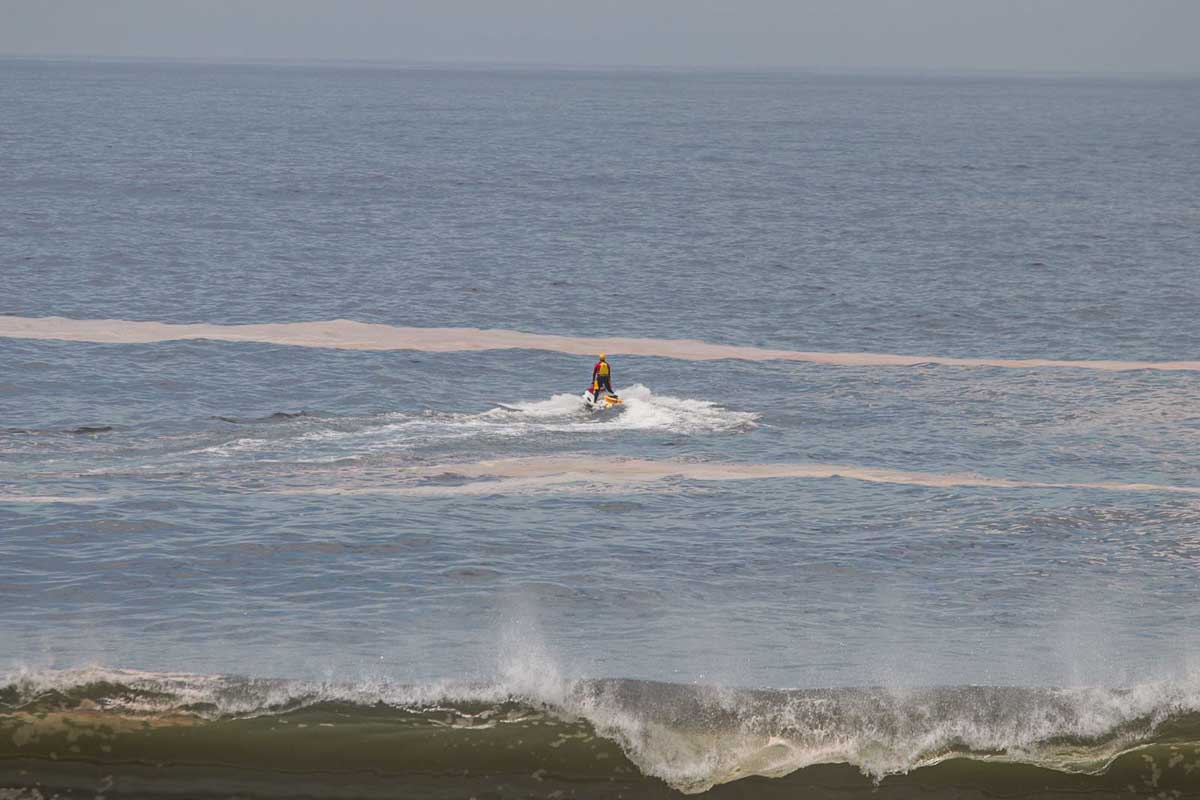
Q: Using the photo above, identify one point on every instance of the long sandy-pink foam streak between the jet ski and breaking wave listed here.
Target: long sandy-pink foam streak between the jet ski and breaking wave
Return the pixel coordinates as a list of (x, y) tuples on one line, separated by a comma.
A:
[(515, 476)]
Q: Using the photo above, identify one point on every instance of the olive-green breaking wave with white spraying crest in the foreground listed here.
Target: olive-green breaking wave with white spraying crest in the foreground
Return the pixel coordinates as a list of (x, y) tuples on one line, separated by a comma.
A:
[(533, 733)]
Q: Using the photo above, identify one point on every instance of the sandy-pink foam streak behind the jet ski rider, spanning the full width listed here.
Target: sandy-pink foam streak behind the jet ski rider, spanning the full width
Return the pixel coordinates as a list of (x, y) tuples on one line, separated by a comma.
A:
[(349, 335)]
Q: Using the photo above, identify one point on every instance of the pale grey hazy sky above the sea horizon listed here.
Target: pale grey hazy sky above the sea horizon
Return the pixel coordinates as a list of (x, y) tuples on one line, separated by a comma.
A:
[(1111, 35)]
